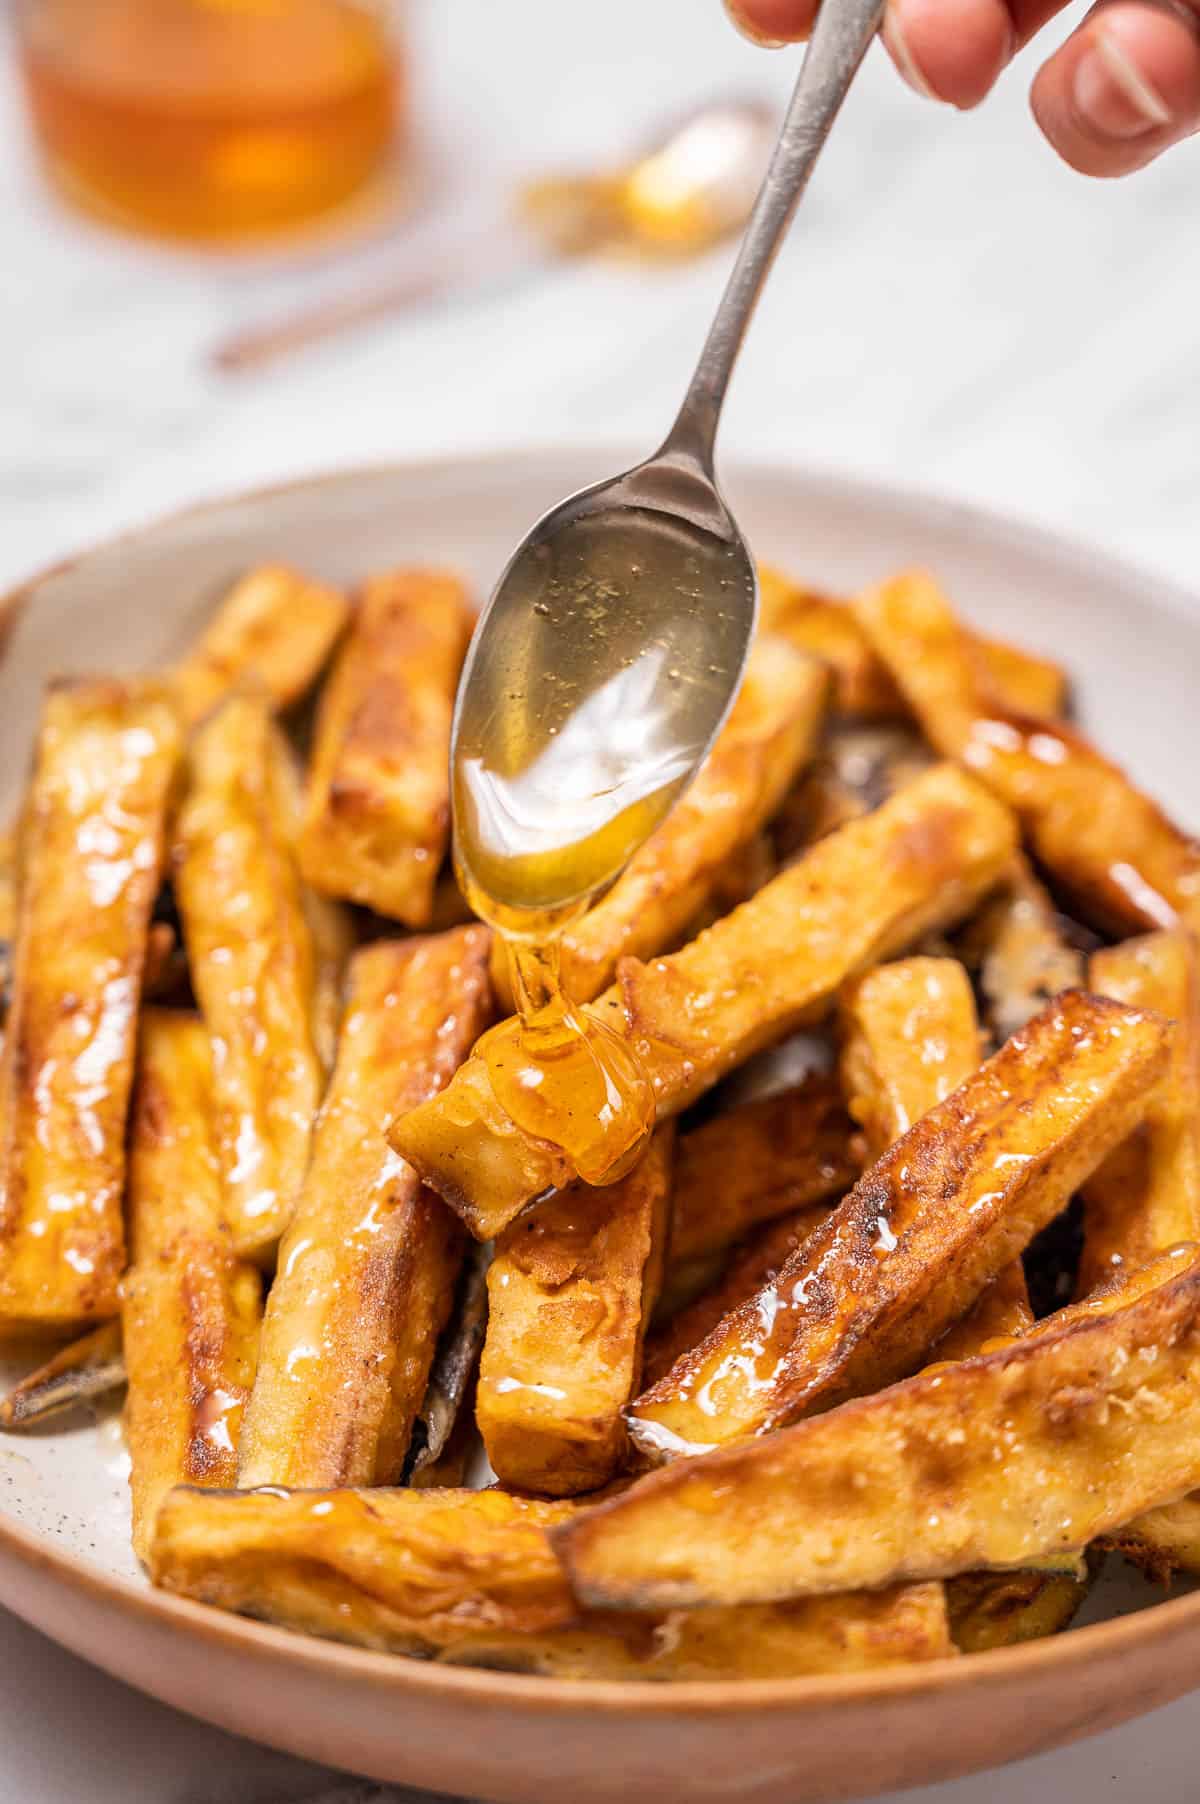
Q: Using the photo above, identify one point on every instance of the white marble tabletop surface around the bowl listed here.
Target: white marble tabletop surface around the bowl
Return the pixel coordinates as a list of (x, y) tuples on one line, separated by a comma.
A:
[(955, 311)]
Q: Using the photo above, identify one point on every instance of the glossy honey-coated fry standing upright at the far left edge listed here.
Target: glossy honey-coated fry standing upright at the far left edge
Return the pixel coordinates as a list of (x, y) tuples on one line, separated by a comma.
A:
[(93, 847)]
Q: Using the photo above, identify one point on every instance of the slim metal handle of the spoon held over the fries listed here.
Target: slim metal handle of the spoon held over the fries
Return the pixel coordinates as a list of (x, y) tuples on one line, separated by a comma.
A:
[(840, 42)]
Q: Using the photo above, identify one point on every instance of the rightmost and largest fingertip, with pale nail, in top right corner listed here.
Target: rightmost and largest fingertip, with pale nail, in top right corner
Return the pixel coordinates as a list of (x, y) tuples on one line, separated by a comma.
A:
[(1122, 89)]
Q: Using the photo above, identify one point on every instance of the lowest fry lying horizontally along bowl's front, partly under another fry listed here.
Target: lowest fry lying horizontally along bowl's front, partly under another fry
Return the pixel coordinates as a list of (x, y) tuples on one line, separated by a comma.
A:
[(470, 1576)]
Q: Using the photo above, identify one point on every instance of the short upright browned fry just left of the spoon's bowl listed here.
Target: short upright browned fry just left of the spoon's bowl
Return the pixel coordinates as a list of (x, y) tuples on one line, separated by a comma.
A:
[(378, 809)]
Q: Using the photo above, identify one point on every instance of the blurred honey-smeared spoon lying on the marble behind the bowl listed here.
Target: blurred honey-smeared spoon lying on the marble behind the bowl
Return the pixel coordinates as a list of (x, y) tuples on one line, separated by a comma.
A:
[(678, 198)]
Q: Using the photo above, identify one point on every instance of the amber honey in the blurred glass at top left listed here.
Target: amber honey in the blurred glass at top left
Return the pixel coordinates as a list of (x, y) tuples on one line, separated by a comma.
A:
[(212, 120)]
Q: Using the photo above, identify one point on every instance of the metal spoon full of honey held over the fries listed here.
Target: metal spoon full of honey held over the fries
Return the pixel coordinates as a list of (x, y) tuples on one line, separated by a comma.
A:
[(614, 643)]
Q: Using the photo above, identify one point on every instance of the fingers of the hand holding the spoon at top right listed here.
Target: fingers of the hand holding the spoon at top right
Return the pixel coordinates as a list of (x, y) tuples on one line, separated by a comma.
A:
[(1123, 87)]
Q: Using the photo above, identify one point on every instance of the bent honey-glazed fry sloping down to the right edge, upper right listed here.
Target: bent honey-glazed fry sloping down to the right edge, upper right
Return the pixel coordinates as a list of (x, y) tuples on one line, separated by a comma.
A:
[(1107, 845)]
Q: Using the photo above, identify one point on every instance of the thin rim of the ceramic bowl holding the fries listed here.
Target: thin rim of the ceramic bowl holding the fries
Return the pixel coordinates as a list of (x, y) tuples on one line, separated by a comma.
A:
[(241, 1635)]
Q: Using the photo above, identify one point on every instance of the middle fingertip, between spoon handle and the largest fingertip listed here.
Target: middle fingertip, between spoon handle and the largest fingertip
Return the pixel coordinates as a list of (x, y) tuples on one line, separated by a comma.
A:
[(950, 53)]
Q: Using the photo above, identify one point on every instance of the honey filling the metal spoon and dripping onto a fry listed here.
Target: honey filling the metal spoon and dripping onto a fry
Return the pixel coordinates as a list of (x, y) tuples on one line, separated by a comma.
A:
[(596, 708)]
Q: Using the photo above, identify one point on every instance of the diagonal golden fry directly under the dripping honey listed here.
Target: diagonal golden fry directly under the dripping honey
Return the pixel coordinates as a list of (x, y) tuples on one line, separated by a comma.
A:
[(919, 863)]
